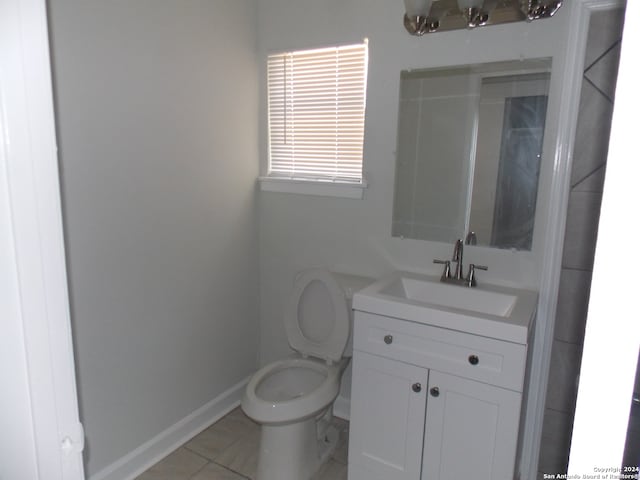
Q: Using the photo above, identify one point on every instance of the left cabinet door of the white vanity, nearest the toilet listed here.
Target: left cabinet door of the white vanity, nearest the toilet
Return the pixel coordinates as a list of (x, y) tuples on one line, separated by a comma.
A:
[(387, 419)]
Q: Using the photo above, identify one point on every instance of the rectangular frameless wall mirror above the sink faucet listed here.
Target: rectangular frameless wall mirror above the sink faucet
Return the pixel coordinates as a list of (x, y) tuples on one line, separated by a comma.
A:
[(469, 150)]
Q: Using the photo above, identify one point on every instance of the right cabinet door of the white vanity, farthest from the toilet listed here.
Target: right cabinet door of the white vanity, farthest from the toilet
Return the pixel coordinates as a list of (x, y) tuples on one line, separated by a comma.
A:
[(471, 430)]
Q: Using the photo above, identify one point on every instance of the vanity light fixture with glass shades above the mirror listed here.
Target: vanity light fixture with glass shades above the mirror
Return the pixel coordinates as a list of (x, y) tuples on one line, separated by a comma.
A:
[(429, 16)]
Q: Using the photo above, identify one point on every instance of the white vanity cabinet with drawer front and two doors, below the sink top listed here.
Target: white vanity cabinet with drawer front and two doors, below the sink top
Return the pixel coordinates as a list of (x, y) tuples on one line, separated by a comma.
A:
[(429, 403)]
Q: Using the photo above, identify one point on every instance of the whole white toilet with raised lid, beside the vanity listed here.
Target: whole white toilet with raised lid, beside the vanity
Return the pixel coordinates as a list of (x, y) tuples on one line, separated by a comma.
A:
[(292, 398)]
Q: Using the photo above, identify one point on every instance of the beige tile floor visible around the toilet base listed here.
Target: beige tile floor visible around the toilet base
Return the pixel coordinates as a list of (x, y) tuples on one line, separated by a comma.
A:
[(228, 450)]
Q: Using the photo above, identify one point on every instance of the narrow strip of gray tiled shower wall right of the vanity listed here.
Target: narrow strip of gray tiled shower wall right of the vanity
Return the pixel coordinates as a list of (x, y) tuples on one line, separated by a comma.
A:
[(587, 177)]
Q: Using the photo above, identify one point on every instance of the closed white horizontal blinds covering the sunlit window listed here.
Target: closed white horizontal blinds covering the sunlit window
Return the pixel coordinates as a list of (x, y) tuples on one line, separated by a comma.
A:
[(316, 113)]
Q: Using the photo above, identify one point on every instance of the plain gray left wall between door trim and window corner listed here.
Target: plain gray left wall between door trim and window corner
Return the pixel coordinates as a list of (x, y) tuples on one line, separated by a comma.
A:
[(157, 119)]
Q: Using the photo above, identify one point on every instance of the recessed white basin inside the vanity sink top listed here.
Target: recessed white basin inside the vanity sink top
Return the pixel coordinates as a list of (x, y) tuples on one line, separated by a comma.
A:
[(451, 296)]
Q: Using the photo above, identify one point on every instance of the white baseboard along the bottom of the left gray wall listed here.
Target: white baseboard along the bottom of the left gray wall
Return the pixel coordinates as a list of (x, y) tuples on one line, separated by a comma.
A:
[(154, 450)]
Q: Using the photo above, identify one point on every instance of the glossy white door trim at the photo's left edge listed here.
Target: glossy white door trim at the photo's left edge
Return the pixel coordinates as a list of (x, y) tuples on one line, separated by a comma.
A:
[(29, 159)]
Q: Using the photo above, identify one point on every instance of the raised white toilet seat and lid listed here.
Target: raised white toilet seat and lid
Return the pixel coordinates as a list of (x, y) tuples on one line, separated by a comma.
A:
[(317, 317)]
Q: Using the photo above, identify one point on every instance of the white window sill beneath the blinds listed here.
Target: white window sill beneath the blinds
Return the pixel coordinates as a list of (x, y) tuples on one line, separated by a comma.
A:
[(313, 187)]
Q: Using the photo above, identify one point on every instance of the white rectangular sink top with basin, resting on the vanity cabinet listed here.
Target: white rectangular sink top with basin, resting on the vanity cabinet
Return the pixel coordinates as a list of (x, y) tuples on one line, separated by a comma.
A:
[(488, 310)]
